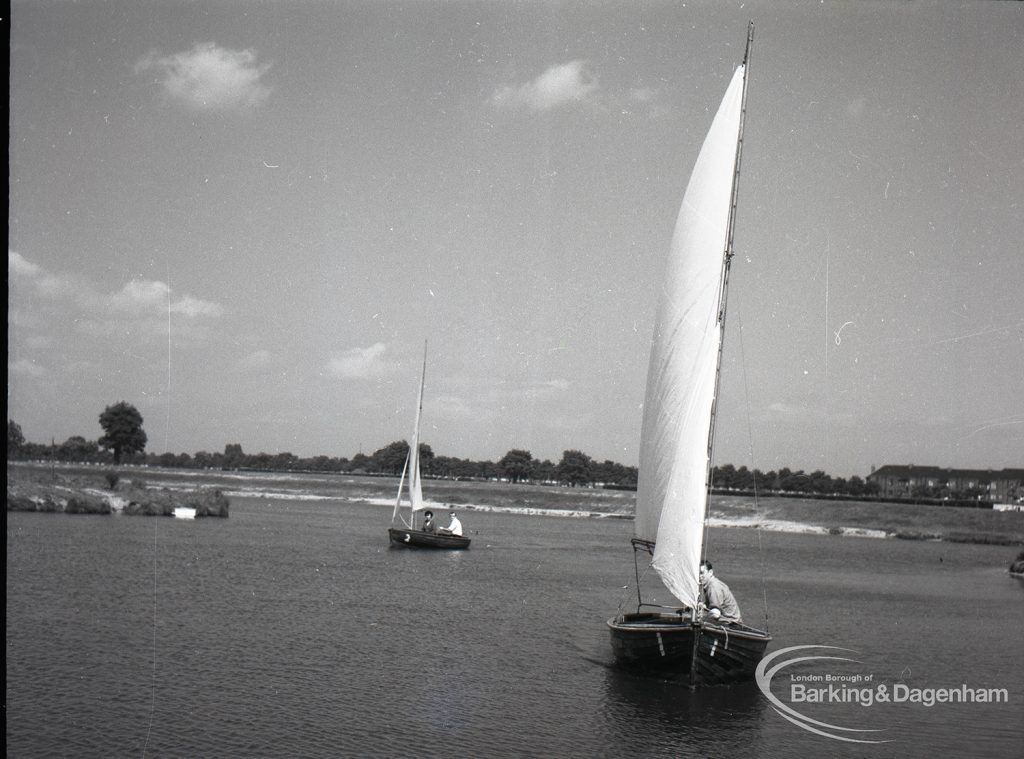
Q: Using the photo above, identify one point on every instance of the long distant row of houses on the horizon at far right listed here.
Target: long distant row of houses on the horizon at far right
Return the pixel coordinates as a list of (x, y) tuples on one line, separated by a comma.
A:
[(897, 481)]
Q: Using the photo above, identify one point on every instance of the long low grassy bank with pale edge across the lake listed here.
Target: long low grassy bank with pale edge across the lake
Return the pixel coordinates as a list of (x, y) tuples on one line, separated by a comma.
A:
[(841, 519)]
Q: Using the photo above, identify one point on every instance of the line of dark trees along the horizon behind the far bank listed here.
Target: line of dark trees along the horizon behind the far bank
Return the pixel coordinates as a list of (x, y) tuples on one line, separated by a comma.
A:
[(124, 442)]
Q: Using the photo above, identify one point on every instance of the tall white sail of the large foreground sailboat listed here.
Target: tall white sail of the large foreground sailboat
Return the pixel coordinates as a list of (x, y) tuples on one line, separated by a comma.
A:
[(681, 379)]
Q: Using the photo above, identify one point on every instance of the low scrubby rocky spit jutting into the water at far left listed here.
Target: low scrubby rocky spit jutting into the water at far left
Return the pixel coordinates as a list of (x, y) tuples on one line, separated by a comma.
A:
[(130, 498)]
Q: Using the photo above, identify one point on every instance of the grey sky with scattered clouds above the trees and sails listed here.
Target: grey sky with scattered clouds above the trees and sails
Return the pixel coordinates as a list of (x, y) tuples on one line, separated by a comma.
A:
[(248, 220)]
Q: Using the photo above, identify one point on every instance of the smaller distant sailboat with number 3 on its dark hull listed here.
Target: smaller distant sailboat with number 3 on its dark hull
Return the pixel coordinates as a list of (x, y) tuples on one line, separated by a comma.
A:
[(404, 531)]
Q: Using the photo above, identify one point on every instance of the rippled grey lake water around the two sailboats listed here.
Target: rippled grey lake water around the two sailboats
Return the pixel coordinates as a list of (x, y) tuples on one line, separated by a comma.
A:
[(292, 629)]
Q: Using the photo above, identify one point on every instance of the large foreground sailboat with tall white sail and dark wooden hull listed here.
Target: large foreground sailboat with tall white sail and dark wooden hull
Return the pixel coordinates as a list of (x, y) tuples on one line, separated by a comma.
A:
[(677, 438)]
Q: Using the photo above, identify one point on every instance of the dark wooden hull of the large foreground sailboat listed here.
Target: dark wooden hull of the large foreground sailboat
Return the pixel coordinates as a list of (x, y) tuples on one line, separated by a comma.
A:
[(662, 645)]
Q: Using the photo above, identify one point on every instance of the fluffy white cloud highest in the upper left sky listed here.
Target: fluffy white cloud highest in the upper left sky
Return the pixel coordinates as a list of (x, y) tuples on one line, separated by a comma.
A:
[(209, 77)]
